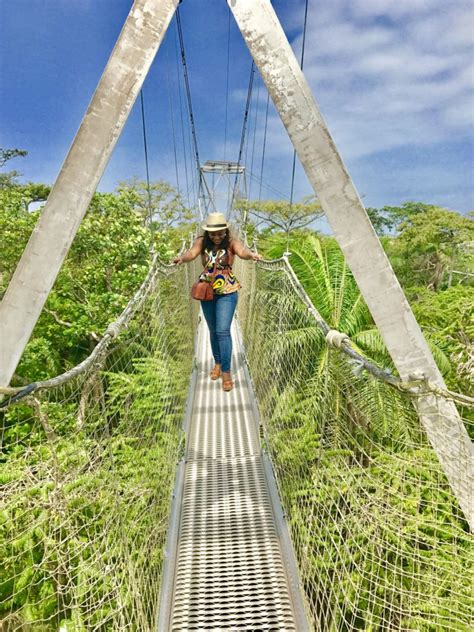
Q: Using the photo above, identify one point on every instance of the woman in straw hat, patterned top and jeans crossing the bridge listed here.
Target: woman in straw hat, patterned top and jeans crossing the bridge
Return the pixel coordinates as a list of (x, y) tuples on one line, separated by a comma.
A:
[(217, 249)]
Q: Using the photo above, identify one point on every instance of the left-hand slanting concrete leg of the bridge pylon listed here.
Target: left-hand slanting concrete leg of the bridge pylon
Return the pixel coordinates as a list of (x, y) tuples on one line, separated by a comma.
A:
[(100, 129)]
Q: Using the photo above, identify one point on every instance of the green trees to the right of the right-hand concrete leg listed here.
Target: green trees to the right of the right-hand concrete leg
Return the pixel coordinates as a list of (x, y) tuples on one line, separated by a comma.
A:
[(433, 257)]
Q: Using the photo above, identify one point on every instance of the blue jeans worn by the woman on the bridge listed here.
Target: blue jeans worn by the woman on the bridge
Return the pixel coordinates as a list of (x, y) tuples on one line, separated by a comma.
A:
[(218, 314)]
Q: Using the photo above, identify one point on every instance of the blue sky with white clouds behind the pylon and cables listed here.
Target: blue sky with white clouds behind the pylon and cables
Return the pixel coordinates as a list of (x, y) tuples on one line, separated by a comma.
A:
[(393, 79)]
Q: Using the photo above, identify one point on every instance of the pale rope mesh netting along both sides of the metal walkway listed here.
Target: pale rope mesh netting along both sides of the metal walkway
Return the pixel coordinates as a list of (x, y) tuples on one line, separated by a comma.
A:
[(89, 465)]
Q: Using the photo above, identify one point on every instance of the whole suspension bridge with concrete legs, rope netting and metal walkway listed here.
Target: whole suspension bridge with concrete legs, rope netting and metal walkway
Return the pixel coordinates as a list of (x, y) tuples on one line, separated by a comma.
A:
[(139, 496)]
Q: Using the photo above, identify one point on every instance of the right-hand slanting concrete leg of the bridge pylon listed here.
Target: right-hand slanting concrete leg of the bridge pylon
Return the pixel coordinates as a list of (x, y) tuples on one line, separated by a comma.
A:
[(327, 174)]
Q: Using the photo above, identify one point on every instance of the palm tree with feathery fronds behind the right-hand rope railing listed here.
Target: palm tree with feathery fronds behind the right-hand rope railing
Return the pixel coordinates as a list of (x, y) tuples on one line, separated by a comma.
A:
[(321, 268)]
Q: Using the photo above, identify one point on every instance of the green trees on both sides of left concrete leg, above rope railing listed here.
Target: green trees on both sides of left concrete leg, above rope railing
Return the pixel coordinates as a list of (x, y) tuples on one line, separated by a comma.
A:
[(105, 265)]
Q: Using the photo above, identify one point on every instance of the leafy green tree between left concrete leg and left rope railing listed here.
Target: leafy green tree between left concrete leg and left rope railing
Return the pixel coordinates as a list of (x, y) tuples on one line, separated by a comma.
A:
[(105, 265)]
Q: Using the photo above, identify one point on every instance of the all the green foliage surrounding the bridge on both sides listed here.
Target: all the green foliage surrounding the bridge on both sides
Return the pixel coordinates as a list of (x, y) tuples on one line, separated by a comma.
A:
[(88, 470)]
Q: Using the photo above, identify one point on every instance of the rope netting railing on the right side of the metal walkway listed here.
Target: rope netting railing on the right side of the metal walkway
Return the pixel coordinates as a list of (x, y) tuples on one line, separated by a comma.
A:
[(379, 537)]
